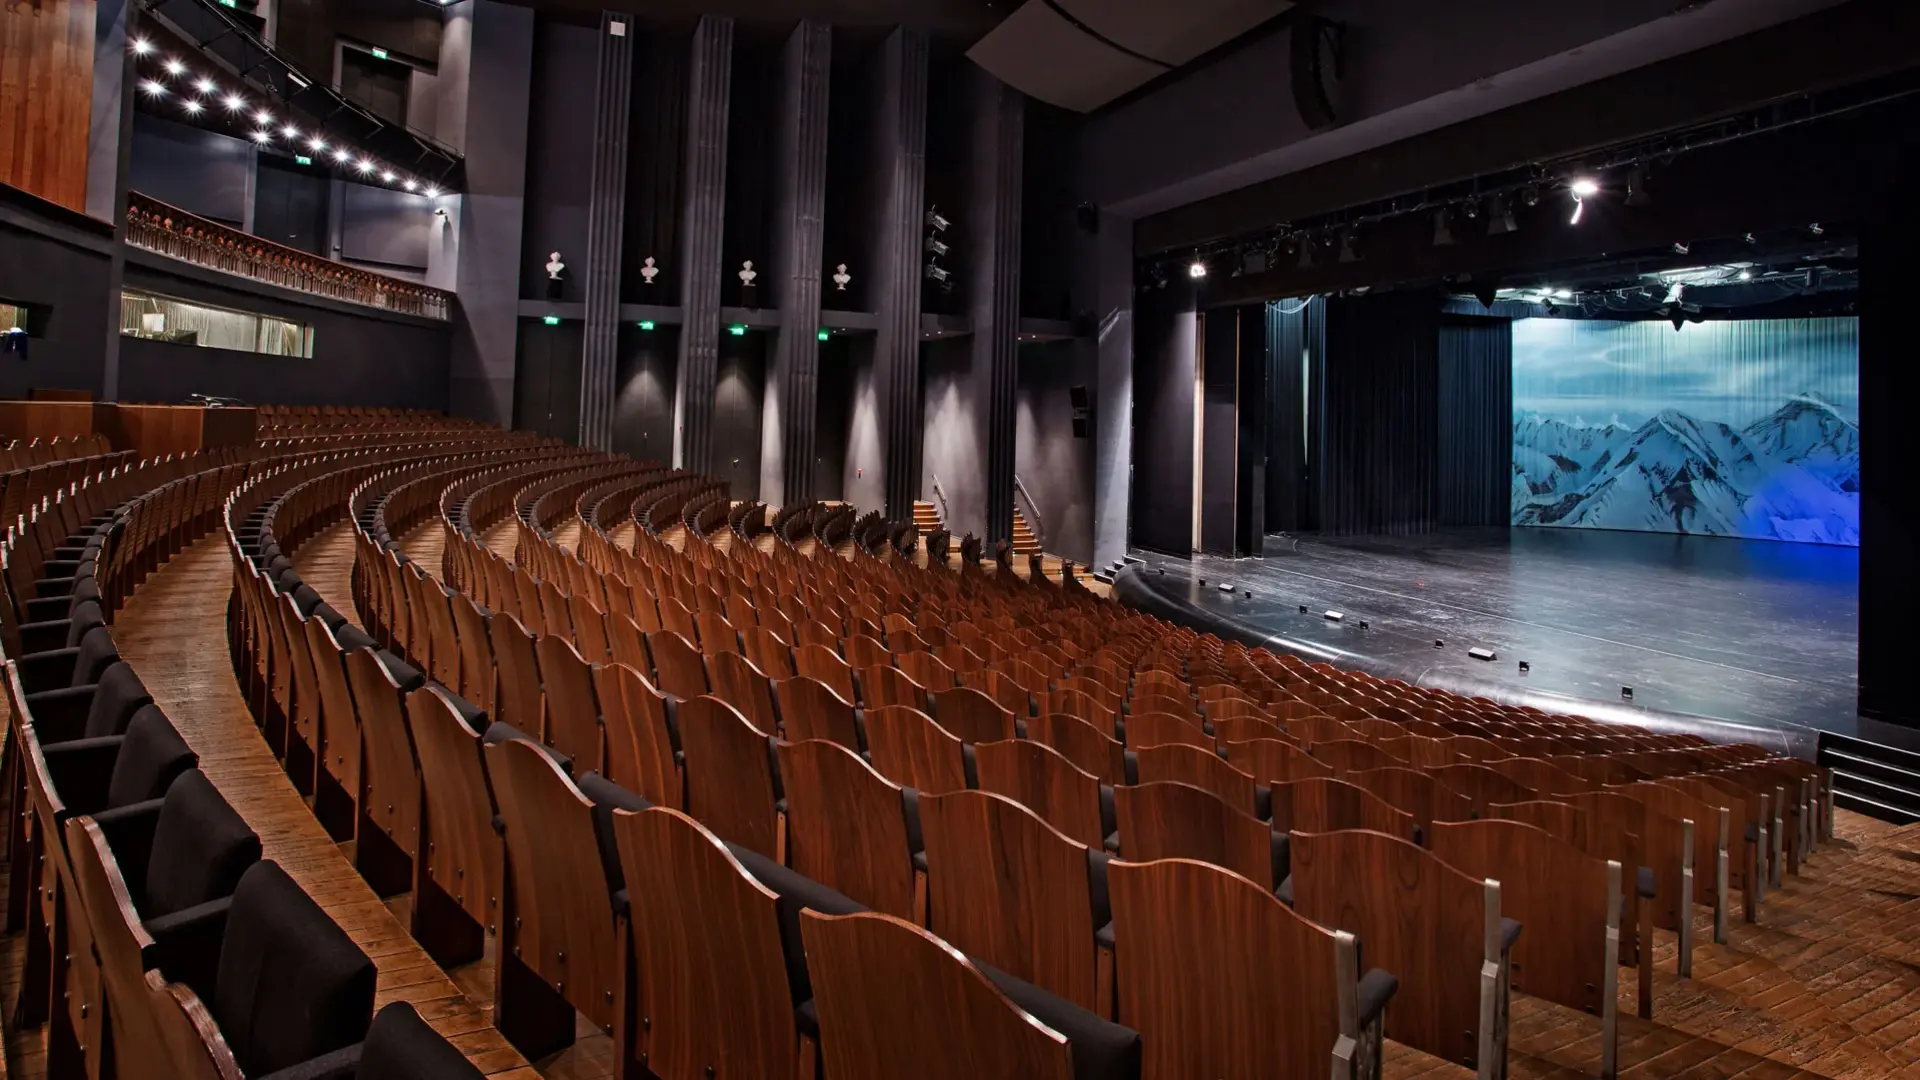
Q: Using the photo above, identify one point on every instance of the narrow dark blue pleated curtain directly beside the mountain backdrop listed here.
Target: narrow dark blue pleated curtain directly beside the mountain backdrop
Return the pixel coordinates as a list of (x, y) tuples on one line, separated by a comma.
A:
[(1476, 420)]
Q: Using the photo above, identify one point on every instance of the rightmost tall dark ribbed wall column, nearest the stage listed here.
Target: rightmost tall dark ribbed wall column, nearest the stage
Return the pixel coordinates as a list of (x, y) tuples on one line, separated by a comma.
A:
[(999, 157)]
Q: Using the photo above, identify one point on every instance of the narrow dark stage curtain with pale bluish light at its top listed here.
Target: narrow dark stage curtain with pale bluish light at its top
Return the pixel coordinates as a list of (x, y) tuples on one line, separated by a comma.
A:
[(1295, 331)]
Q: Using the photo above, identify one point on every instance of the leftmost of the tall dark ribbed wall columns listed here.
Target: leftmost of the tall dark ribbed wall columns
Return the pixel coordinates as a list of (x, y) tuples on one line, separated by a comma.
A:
[(606, 228)]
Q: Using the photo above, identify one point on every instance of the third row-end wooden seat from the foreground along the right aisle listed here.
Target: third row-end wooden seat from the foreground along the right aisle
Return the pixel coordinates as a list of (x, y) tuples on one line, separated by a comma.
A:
[(1573, 898)]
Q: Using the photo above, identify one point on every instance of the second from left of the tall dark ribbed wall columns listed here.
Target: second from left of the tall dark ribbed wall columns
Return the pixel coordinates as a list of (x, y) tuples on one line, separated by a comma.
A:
[(709, 103)]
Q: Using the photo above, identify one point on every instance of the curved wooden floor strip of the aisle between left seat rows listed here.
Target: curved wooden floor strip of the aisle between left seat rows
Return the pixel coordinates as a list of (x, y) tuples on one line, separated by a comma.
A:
[(174, 633)]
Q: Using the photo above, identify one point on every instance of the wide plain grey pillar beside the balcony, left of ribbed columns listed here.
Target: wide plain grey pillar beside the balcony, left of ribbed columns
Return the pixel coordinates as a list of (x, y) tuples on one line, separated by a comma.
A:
[(492, 210)]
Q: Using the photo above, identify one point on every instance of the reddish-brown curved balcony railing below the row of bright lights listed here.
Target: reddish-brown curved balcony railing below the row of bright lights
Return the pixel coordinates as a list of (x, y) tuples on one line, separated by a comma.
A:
[(181, 235)]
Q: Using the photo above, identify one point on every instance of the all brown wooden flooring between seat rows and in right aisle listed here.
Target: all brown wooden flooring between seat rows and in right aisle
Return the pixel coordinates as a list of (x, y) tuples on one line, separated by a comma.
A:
[(1825, 985)]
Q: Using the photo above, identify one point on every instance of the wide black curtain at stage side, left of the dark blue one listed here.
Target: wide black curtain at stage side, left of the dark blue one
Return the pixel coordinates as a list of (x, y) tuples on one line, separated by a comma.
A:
[(1380, 387)]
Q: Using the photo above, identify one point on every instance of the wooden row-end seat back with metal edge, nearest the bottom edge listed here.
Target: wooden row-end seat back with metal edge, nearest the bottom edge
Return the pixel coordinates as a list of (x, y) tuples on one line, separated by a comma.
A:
[(1207, 1002)]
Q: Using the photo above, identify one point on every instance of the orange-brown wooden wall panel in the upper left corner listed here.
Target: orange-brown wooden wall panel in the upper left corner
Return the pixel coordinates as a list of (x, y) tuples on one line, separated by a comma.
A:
[(47, 97)]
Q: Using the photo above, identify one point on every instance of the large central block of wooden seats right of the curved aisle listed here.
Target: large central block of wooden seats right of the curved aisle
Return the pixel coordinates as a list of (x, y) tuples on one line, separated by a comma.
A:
[(759, 793)]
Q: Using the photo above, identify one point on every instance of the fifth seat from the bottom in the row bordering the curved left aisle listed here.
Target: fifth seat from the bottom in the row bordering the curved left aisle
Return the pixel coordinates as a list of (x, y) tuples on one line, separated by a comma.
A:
[(389, 829)]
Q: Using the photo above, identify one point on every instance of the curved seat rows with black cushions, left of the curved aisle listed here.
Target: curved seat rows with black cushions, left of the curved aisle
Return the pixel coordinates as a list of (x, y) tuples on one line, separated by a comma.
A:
[(158, 941)]
